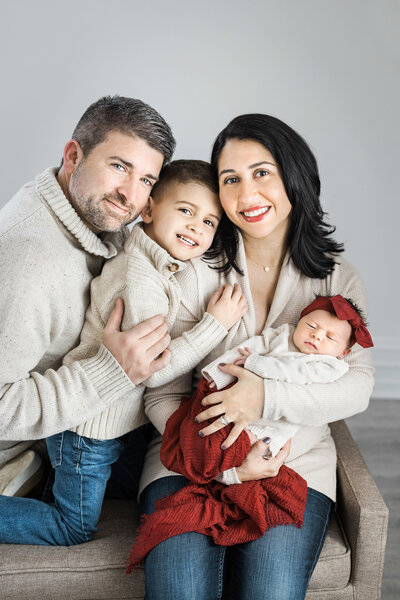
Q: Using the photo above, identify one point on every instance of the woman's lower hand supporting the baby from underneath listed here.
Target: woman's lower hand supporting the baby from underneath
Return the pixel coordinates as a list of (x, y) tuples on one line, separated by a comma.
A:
[(255, 466)]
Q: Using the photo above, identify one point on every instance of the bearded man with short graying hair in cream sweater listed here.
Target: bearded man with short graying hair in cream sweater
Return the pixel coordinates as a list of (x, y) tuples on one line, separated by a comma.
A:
[(54, 237)]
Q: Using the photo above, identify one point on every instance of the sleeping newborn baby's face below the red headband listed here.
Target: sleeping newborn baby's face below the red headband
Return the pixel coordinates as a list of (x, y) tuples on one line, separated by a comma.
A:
[(321, 332)]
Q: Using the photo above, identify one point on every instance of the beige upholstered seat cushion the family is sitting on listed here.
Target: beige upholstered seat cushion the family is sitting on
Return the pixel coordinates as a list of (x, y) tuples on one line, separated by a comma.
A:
[(95, 570)]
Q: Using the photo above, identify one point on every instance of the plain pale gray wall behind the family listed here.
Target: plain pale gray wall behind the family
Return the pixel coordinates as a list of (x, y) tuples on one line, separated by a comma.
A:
[(331, 69)]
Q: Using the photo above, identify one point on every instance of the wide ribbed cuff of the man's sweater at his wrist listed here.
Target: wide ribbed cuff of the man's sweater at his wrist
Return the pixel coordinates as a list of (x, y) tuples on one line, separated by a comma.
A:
[(106, 376)]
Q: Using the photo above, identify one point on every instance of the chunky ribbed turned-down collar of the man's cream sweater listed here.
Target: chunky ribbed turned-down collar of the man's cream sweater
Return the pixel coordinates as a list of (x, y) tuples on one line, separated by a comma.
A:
[(50, 191)]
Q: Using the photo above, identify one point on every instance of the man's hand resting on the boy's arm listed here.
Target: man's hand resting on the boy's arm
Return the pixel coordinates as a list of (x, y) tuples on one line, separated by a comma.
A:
[(142, 350)]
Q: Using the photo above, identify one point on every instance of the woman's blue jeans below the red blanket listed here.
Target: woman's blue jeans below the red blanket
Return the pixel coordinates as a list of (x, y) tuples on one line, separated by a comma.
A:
[(277, 566)]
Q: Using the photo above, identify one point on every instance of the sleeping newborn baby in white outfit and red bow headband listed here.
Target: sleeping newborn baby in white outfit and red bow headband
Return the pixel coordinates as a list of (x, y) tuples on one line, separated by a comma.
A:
[(311, 352)]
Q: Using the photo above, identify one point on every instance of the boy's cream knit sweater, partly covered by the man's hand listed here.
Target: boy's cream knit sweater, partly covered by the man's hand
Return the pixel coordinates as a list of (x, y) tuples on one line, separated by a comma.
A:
[(144, 276)]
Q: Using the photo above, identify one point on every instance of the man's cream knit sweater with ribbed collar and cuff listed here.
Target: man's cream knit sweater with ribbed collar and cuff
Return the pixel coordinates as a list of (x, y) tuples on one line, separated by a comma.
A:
[(48, 258)]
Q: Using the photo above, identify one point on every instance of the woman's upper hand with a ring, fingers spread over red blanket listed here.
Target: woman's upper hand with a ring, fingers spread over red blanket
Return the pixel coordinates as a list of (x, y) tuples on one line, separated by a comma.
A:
[(241, 404)]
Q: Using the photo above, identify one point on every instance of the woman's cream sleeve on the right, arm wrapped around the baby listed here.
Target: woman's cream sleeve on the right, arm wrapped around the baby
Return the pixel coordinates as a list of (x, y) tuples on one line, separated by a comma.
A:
[(318, 404)]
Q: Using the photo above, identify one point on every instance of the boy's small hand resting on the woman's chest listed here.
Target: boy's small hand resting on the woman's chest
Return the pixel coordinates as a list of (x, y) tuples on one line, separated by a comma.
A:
[(228, 305)]
